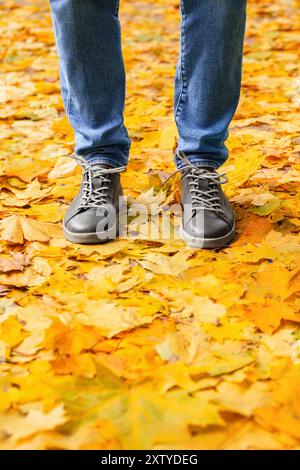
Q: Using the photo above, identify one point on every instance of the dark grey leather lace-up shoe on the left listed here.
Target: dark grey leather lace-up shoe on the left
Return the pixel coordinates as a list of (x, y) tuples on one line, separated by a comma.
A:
[(94, 215)]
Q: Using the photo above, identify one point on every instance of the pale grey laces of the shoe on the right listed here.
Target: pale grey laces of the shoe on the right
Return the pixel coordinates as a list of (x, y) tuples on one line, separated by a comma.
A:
[(202, 200)]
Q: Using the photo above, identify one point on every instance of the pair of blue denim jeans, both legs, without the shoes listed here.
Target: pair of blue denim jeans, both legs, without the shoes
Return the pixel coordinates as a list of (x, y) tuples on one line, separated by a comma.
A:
[(207, 83)]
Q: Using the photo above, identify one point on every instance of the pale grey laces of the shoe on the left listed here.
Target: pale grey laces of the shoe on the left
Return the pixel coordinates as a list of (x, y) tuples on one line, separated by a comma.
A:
[(95, 197)]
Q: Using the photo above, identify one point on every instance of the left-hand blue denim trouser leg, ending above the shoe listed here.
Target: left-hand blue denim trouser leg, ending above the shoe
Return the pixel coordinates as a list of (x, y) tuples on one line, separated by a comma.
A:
[(92, 76)]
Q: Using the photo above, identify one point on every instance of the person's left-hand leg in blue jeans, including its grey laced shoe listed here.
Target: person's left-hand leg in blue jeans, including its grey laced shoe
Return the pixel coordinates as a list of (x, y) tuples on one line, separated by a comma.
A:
[(88, 40)]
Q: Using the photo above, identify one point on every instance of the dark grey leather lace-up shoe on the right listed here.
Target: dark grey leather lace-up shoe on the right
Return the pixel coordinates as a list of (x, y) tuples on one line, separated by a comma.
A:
[(208, 219)]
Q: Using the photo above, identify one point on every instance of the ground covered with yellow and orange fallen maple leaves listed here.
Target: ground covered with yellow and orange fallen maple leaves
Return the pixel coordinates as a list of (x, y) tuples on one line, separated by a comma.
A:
[(138, 343)]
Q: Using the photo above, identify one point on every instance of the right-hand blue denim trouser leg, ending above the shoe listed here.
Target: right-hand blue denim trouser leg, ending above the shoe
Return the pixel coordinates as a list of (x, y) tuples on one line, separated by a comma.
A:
[(208, 78)]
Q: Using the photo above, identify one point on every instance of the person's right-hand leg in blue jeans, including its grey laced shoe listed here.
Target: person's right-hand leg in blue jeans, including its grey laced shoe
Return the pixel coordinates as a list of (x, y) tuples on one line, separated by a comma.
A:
[(207, 90)]
